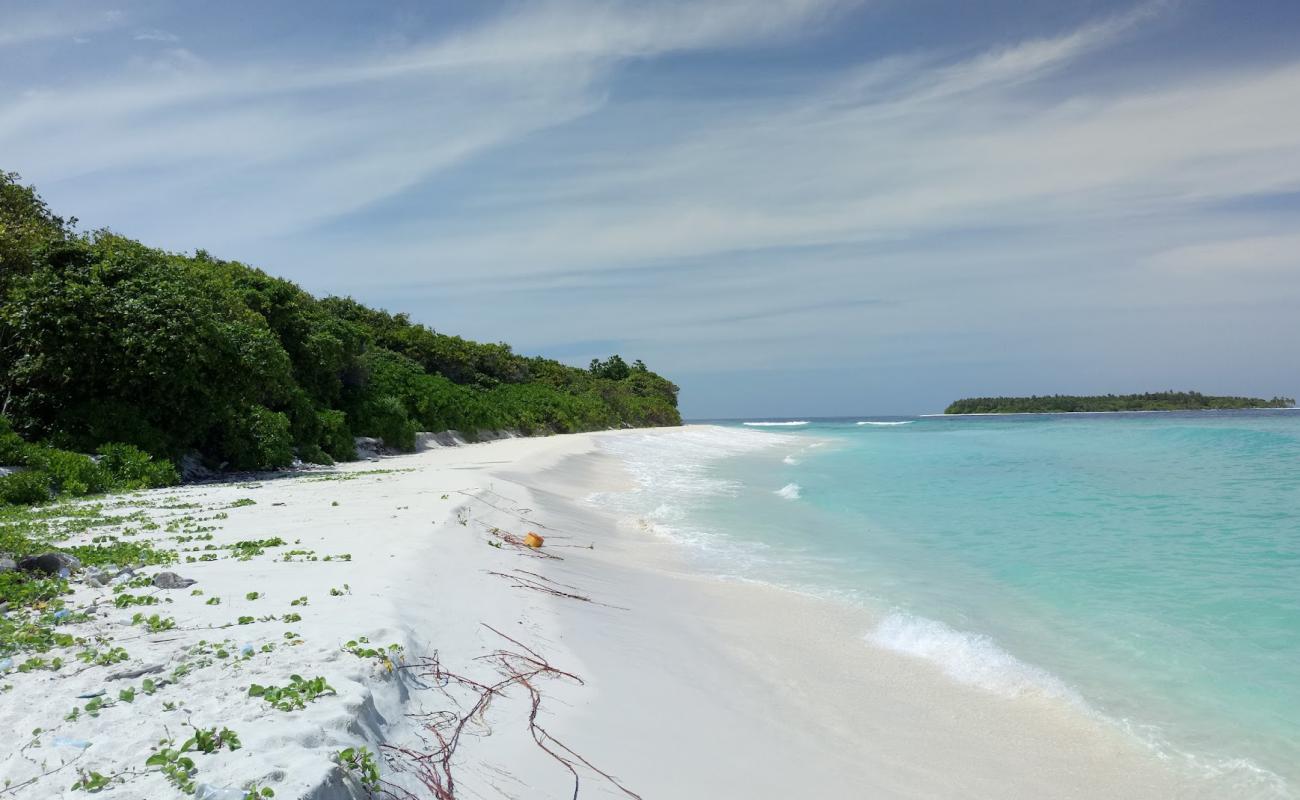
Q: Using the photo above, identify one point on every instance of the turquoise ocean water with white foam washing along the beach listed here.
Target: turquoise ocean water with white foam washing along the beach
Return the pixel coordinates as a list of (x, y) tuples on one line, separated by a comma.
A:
[(1142, 567)]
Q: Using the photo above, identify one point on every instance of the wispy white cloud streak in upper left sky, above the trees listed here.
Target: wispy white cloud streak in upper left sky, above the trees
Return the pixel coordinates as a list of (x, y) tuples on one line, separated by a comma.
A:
[(274, 148)]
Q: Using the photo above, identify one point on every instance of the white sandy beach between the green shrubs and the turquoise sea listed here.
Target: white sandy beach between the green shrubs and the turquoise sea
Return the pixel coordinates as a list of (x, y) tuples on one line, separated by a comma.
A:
[(651, 681)]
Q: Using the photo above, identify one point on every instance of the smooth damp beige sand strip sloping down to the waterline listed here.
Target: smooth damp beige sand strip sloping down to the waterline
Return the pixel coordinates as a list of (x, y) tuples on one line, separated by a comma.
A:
[(865, 720)]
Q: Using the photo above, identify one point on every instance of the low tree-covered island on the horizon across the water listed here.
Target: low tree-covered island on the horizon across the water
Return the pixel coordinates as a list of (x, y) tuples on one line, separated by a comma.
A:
[(1152, 401)]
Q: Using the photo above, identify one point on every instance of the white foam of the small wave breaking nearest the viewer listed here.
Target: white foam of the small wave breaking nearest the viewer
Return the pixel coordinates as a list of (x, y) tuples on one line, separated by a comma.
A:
[(970, 659)]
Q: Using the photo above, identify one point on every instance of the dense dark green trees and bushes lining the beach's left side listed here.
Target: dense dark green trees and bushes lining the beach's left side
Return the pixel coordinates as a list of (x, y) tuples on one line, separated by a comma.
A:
[(144, 356)]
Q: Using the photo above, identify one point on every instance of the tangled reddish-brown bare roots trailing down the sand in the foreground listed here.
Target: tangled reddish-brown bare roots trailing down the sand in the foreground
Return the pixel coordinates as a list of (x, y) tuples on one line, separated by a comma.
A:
[(522, 668)]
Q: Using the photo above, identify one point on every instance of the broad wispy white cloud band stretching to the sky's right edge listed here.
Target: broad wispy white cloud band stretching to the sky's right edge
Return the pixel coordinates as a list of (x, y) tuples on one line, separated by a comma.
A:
[(963, 148)]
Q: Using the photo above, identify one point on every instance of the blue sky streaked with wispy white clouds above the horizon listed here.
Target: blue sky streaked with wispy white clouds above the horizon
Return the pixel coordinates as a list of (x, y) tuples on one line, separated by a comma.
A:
[(790, 207)]
